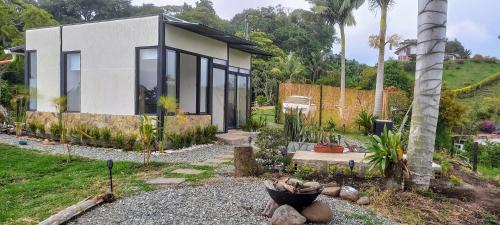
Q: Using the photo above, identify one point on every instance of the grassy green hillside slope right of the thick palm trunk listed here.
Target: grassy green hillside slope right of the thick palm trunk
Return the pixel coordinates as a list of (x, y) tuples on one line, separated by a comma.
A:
[(460, 75)]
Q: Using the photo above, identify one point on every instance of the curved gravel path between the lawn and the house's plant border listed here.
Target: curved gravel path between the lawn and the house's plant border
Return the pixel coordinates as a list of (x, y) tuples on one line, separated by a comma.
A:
[(197, 154)]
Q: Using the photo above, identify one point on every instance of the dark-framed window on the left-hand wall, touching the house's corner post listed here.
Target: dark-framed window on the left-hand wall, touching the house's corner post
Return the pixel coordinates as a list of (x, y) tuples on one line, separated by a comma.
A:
[(147, 81)]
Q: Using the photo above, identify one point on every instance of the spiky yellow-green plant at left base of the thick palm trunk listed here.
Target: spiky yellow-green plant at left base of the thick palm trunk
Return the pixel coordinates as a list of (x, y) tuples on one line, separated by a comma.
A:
[(386, 155)]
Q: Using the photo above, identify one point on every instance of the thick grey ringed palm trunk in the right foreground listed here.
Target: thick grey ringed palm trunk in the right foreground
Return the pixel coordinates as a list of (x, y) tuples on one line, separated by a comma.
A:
[(430, 55)]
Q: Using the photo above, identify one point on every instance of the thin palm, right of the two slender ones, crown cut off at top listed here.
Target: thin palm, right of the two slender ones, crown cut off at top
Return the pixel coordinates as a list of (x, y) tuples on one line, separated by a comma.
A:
[(379, 87)]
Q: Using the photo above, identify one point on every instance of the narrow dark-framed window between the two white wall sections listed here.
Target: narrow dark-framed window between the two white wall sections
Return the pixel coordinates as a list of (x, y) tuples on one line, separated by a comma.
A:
[(73, 74)]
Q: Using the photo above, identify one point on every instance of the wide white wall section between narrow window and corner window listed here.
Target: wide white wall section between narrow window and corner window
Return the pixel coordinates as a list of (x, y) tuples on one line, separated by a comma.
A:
[(108, 61)]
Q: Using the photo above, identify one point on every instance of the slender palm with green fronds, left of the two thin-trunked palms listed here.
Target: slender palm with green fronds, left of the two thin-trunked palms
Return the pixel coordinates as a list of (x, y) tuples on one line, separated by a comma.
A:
[(338, 12)]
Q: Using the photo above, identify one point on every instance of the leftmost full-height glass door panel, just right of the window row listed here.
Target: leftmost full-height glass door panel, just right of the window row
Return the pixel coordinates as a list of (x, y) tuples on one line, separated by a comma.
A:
[(218, 92)]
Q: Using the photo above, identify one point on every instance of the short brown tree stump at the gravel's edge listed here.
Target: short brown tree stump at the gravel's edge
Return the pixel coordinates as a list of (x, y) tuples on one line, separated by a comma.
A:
[(244, 162)]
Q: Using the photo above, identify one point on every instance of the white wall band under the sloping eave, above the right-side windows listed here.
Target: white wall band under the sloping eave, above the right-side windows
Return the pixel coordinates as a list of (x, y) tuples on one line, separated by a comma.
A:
[(186, 40)]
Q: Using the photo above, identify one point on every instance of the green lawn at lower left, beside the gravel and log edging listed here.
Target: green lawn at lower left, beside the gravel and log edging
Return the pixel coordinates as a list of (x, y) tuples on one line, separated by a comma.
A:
[(35, 185)]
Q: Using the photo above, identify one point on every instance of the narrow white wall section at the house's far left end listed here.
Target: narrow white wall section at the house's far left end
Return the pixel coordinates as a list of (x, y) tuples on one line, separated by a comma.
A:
[(46, 44)]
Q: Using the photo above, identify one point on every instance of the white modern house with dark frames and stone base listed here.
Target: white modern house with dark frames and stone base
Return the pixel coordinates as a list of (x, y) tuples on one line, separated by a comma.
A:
[(114, 71)]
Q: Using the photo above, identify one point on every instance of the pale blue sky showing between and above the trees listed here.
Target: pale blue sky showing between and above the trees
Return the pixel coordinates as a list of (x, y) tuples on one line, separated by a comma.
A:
[(476, 23)]
